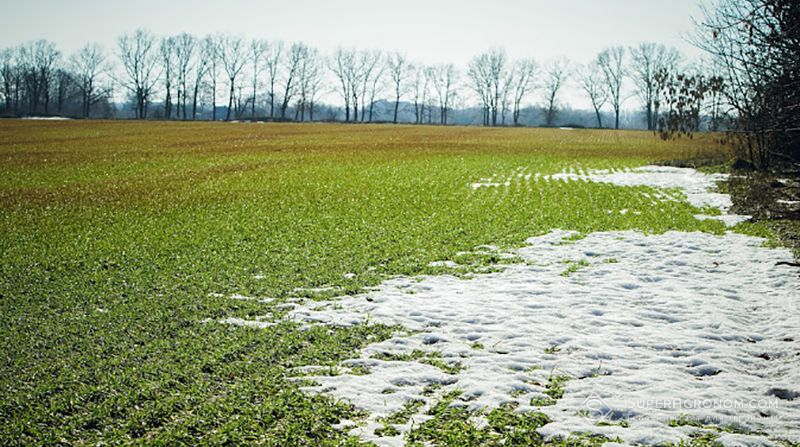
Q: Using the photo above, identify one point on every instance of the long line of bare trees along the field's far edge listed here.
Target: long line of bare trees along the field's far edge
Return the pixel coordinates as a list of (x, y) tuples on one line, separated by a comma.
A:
[(183, 77)]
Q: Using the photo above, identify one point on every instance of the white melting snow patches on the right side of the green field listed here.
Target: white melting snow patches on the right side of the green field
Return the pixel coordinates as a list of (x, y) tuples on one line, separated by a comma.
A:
[(648, 328)]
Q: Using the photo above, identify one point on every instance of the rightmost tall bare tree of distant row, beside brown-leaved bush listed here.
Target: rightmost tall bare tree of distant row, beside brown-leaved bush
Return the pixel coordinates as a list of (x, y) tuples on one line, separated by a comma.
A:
[(647, 59)]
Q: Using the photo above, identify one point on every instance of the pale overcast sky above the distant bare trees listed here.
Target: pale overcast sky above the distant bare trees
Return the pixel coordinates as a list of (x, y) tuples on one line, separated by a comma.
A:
[(430, 31)]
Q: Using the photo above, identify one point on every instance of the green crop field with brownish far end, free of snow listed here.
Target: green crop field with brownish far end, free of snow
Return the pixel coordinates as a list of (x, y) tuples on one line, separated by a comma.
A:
[(119, 239)]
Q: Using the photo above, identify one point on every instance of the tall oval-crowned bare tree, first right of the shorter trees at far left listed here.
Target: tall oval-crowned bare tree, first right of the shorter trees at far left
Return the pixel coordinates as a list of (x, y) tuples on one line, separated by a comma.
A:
[(139, 58)]
